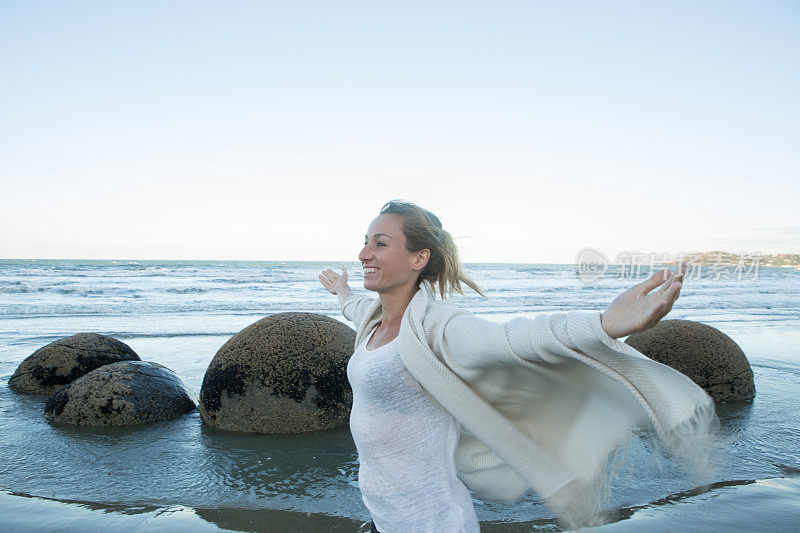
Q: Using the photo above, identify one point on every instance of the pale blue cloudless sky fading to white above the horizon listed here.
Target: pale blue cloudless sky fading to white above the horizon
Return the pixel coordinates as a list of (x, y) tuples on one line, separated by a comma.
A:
[(276, 130)]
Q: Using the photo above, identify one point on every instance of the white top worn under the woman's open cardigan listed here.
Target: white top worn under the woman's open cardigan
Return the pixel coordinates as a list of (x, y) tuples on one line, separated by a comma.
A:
[(405, 443)]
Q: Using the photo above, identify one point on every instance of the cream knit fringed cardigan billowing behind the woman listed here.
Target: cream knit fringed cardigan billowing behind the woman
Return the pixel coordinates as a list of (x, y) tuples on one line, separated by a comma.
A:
[(542, 401)]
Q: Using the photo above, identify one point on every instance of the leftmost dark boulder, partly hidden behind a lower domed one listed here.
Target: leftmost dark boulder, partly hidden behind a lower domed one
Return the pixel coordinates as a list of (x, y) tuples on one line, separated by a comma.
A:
[(59, 363)]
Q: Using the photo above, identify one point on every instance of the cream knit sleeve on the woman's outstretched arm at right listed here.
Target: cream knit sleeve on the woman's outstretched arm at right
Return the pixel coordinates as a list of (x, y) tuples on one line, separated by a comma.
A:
[(473, 341)]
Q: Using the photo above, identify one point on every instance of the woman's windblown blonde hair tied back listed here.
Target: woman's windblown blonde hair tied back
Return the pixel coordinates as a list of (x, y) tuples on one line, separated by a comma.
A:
[(423, 229)]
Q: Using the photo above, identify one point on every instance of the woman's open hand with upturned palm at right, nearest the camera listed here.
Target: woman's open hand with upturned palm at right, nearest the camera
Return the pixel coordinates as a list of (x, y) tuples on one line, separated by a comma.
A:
[(636, 310)]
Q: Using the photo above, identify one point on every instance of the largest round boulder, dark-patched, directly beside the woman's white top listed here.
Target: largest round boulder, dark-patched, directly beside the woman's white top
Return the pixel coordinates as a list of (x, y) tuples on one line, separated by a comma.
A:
[(286, 373)]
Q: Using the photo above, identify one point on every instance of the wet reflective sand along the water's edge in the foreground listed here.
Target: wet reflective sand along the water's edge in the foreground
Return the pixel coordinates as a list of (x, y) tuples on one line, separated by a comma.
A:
[(721, 505)]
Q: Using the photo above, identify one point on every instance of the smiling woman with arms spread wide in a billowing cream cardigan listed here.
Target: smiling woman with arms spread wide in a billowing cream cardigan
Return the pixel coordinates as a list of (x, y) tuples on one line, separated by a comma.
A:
[(445, 402)]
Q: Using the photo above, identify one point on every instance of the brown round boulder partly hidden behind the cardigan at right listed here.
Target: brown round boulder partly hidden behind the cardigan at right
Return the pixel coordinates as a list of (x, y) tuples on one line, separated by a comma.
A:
[(704, 354)]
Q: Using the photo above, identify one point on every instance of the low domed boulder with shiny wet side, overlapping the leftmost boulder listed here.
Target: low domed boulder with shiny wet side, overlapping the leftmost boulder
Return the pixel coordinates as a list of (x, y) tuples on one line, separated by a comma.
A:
[(122, 394)]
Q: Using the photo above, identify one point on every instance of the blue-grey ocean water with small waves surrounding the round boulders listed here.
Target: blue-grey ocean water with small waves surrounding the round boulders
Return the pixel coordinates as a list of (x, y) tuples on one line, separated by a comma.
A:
[(182, 475)]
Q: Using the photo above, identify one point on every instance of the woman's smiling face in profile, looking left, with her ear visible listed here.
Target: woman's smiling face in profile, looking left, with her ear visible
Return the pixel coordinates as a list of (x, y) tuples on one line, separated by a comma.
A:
[(387, 264)]
